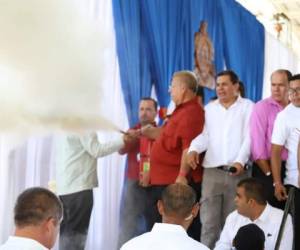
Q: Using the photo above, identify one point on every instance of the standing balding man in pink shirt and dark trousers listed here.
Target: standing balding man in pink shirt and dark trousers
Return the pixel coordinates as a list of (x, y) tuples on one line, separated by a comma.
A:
[(261, 126)]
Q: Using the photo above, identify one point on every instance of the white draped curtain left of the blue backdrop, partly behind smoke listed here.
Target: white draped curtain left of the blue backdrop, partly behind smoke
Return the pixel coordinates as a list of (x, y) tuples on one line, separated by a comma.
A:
[(33, 162)]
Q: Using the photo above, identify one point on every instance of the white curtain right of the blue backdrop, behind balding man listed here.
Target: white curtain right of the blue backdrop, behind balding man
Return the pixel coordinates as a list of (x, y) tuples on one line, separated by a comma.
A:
[(277, 56)]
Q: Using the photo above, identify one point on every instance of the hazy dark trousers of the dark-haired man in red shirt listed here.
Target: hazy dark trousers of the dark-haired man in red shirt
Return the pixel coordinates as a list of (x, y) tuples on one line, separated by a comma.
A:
[(132, 214)]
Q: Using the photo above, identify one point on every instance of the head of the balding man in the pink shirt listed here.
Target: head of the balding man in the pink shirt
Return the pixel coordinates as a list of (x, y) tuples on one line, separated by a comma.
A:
[(279, 85)]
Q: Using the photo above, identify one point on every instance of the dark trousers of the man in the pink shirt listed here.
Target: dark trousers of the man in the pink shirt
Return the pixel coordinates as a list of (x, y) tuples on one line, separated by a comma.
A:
[(268, 183)]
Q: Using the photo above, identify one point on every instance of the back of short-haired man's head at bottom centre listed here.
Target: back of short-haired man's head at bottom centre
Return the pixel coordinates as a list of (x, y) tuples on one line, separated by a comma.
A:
[(178, 205)]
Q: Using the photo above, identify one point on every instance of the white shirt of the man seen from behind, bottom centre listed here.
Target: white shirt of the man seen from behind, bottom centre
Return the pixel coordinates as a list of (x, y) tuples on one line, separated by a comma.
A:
[(164, 237)]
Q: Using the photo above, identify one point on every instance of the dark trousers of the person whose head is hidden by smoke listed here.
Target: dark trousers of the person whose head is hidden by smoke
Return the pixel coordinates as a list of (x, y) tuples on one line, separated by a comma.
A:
[(74, 227)]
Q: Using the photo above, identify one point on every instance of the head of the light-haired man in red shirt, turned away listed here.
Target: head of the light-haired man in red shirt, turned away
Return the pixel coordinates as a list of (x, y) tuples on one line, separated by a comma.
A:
[(183, 86)]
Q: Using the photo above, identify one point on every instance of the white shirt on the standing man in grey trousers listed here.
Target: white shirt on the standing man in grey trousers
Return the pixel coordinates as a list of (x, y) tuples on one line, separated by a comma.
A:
[(225, 136)]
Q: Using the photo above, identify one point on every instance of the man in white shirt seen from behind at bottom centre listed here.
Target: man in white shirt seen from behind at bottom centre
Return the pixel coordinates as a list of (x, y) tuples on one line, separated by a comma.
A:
[(178, 208)]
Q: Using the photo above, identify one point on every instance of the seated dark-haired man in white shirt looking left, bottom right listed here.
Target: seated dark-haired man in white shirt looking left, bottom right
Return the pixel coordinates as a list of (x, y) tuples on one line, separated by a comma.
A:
[(252, 207)]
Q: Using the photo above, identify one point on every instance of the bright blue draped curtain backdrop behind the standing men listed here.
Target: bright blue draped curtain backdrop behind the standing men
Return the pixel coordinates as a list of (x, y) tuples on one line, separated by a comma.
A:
[(167, 29)]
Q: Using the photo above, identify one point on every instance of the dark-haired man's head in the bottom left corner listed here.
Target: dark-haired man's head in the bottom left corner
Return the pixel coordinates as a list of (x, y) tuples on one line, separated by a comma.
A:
[(37, 214)]
